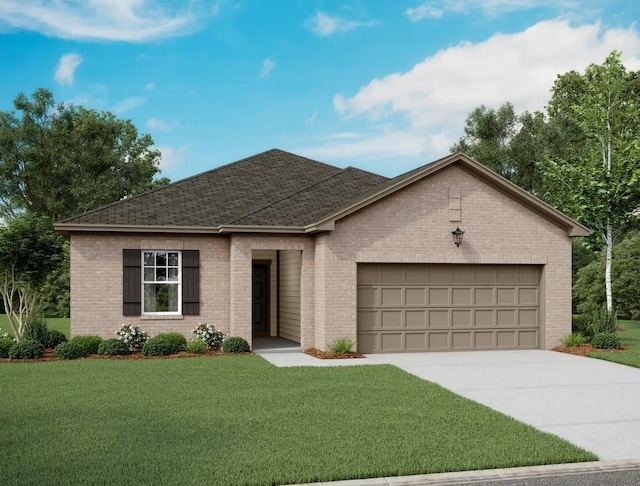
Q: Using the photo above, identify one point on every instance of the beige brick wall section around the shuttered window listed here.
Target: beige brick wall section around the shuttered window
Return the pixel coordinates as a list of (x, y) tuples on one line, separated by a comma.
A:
[(96, 283)]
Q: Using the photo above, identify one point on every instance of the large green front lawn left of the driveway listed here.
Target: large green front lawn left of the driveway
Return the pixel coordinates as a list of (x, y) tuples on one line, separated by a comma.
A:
[(240, 420)]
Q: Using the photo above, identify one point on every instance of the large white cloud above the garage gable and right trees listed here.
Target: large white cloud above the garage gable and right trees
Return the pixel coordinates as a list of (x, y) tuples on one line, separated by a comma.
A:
[(431, 100)]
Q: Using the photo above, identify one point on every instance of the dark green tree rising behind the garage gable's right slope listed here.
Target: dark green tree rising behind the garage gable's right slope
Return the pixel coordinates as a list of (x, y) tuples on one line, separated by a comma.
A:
[(510, 144)]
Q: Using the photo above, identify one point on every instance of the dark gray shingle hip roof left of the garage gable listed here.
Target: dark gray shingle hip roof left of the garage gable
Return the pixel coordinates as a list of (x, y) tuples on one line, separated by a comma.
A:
[(274, 188)]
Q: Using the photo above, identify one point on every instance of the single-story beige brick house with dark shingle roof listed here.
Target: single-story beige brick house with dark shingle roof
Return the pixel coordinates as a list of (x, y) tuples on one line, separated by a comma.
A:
[(280, 245)]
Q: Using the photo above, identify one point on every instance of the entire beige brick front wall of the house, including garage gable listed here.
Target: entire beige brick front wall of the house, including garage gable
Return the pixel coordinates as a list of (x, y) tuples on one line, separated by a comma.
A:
[(412, 226)]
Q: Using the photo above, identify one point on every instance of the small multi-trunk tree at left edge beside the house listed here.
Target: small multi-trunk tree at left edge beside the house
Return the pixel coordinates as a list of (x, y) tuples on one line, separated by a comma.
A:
[(28, 251)]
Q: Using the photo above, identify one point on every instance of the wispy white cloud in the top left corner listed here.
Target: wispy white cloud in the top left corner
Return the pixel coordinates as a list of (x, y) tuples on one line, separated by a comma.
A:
[(116, 20)]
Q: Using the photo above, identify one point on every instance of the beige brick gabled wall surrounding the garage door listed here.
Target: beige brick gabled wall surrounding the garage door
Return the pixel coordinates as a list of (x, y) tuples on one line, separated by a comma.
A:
[(413, 226)]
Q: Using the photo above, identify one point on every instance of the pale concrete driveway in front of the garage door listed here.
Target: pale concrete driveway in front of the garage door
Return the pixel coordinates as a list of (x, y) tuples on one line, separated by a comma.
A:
[(591, 403)]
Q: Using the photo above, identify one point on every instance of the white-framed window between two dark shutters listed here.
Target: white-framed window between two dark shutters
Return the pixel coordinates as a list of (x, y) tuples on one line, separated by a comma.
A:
[(161, 282)]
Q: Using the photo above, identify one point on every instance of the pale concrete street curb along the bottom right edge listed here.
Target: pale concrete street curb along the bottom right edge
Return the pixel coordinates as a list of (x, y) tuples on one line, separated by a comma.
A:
[(470, 477)]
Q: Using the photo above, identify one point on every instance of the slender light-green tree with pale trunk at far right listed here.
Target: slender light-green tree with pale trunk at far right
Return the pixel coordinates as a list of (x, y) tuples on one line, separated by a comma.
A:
[(597, 180)]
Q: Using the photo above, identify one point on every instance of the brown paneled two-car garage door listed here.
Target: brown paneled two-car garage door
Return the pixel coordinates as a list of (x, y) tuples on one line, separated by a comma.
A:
[(422, 307)]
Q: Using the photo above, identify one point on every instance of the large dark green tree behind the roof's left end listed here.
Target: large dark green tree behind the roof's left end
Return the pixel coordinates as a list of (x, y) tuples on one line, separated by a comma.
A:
[(57, 160)]
